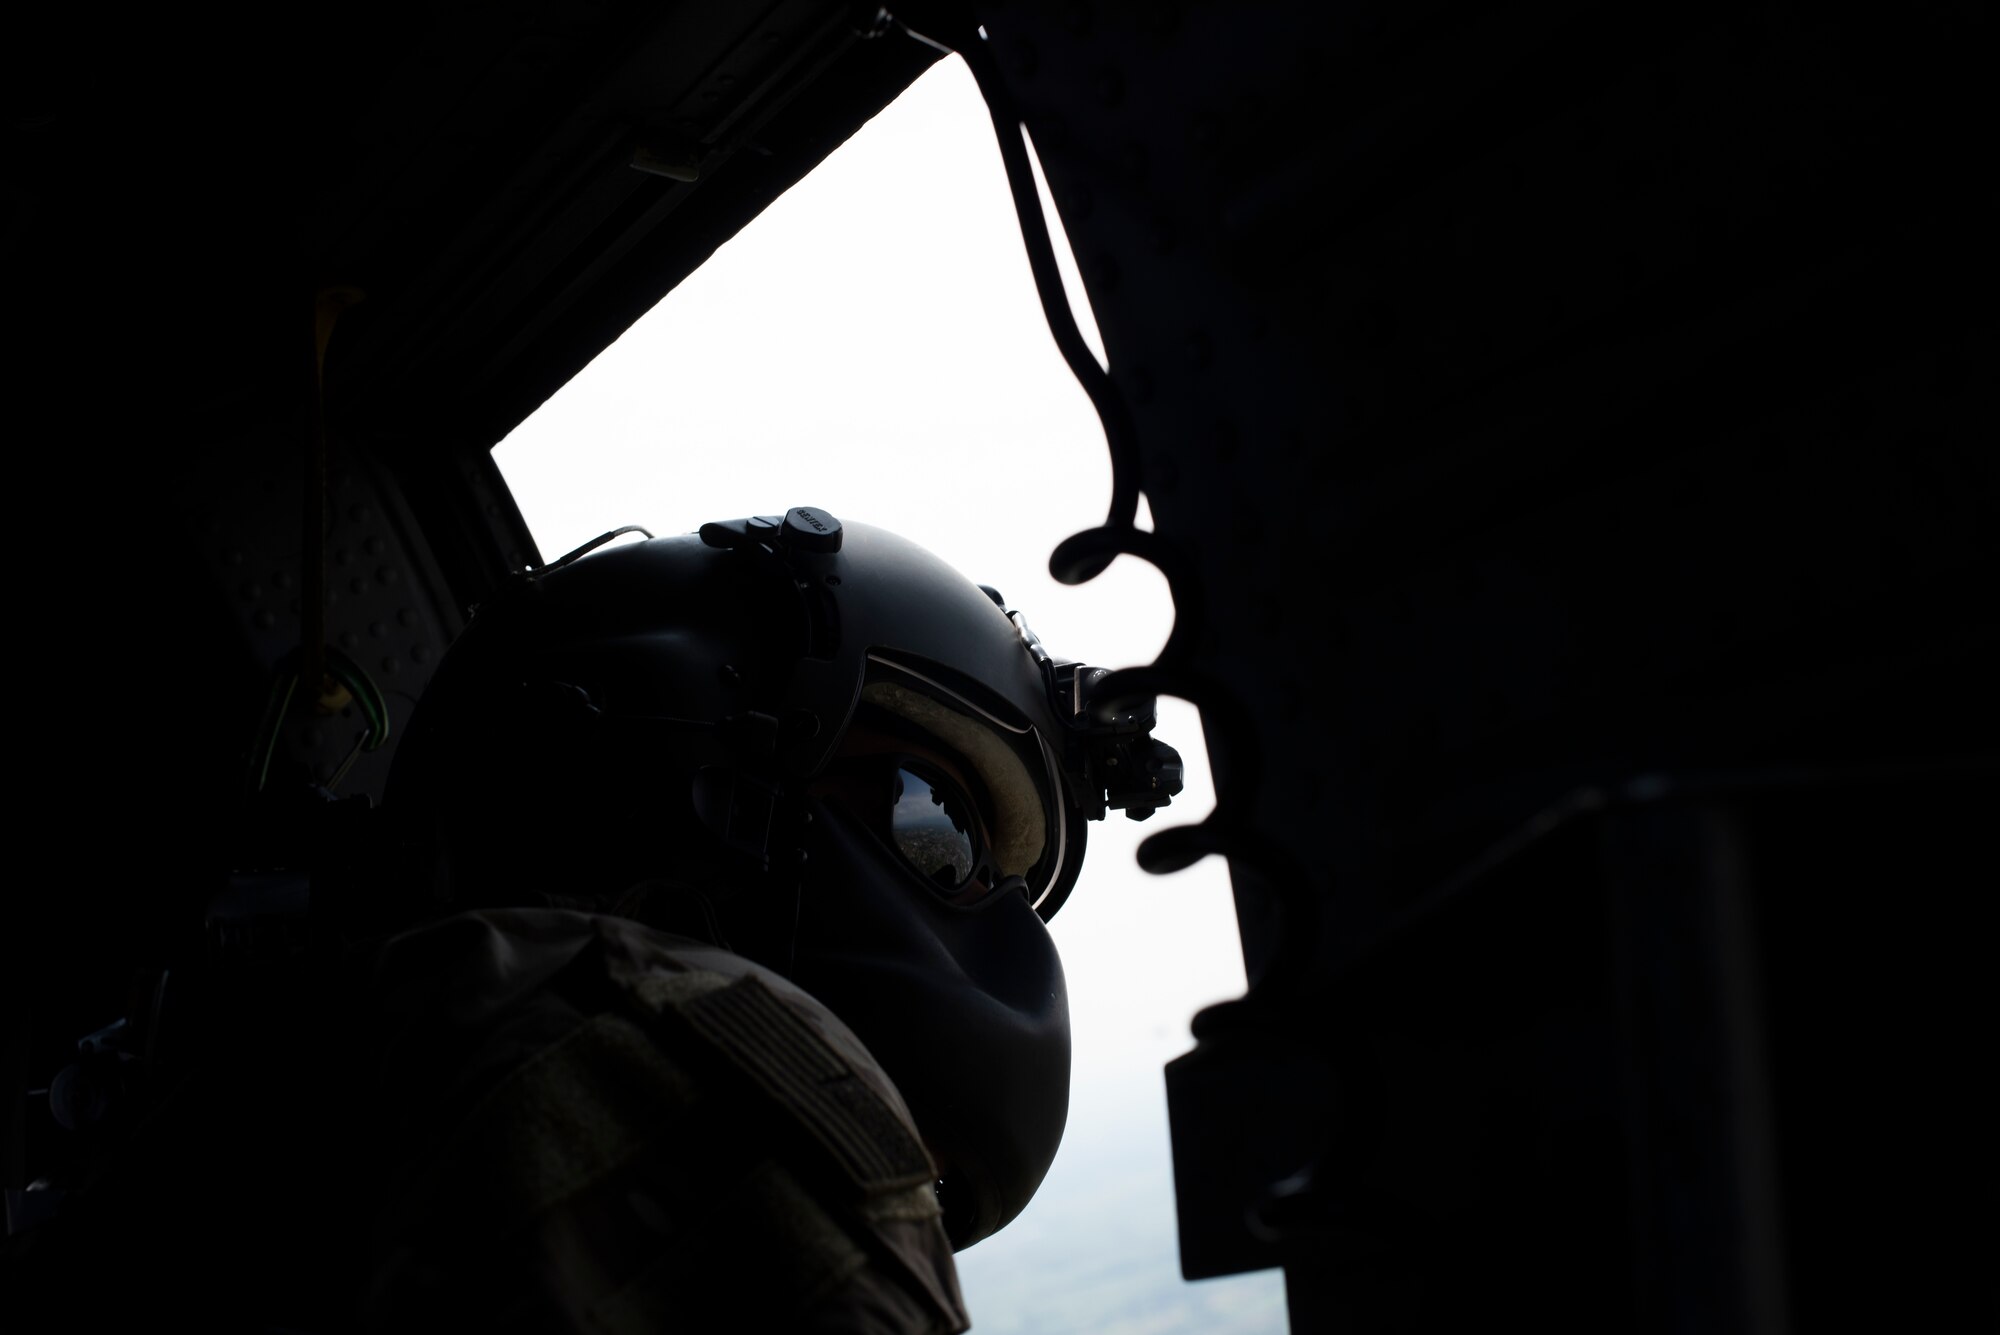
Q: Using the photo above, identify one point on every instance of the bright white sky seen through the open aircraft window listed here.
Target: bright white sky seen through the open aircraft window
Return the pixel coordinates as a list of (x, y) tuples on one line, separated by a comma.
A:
[(873, 345)]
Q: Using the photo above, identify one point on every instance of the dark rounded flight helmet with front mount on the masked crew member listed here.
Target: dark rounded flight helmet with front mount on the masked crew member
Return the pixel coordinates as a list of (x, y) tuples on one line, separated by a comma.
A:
[(711, 676)]
